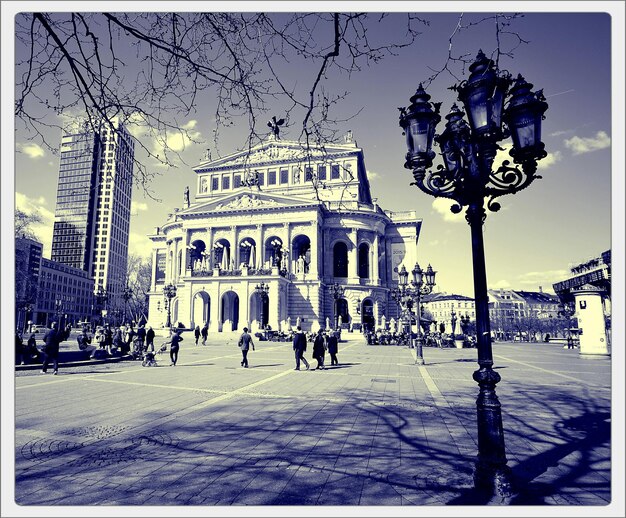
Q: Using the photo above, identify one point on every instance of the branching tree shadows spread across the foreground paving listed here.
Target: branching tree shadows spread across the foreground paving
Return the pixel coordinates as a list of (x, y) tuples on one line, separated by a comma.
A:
[(354, 446)]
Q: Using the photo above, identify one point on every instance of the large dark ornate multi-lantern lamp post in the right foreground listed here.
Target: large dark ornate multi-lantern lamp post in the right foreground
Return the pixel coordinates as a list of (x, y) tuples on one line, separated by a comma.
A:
[(467, 177)]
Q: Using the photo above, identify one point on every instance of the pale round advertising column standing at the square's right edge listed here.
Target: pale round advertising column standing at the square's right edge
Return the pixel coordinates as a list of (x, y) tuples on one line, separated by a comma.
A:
[(590, 315)]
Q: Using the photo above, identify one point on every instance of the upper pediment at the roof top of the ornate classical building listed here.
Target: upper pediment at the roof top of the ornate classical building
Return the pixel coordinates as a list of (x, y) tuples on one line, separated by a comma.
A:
[(273, 152)]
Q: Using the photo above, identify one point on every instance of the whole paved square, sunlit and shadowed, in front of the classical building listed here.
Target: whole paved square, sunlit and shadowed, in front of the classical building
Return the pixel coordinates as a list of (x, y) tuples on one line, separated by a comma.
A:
[(376, 430)]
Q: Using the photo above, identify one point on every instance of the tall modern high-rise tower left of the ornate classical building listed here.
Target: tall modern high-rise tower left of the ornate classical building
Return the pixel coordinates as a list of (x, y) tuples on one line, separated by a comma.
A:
[(92, 216)]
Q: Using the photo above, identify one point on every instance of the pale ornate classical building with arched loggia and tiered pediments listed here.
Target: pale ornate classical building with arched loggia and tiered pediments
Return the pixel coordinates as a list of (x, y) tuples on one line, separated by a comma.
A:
[(292, 220)]
